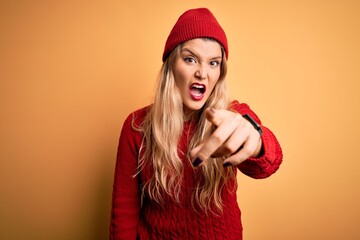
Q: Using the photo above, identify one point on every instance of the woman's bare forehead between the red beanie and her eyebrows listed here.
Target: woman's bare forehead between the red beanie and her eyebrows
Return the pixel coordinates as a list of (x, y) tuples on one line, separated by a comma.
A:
[(203, 47)]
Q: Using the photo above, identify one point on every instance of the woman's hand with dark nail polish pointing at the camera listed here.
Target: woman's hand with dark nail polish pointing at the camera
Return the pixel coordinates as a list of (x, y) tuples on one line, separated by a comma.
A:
[(234, 138)]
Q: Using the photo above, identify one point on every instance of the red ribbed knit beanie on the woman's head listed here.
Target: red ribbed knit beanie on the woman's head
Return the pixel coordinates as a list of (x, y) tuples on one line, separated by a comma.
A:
[(195, 23)]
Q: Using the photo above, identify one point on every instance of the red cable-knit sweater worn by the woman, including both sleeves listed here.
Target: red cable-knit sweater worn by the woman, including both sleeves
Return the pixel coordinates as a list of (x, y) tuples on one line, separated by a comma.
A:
[(173, 221)]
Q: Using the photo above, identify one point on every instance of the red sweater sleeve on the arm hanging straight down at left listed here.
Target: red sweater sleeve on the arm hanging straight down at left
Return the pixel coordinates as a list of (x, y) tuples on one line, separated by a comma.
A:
[(126, 190)]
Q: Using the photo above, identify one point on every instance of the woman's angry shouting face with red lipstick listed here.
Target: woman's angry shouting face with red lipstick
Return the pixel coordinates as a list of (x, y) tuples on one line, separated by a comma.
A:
[(196, 71)]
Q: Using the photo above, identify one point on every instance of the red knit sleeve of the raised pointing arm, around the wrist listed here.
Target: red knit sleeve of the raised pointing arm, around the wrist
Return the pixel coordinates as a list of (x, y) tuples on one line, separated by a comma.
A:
[(271, 157)]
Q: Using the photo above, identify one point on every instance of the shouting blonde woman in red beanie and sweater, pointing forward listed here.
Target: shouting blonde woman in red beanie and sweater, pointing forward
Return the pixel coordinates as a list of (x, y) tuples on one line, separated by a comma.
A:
[(177, 160)]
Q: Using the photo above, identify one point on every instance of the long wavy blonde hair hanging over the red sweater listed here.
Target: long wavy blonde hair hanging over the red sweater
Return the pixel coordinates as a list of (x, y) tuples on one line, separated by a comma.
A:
[(162, 129)]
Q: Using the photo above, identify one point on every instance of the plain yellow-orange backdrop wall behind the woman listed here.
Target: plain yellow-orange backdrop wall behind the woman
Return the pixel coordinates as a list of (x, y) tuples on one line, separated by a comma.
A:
[(71, 71)]
